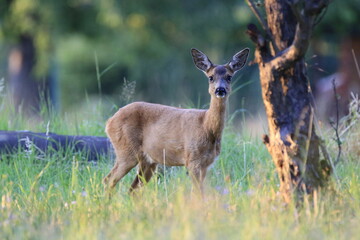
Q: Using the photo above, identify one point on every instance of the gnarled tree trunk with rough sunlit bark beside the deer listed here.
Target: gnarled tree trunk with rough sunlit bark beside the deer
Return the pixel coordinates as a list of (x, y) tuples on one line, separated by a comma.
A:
[(291, 141)]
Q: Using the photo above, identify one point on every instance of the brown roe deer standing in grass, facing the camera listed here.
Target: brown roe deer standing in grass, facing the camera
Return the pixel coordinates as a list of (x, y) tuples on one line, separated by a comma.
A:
[(147, 134)]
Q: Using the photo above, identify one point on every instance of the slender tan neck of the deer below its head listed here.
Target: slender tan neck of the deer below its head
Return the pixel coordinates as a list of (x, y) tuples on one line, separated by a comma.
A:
[(215, 117)]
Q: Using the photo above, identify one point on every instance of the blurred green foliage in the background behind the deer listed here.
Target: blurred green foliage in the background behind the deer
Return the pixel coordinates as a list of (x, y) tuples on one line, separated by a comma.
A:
[(147, 42)]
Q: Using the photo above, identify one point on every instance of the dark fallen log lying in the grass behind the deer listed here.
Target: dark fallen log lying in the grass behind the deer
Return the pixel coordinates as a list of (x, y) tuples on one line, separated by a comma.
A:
[(92, 147)]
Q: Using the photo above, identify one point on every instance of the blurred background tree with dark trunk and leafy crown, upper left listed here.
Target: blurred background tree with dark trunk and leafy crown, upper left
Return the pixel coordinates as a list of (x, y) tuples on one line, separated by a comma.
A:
[(30, 30)]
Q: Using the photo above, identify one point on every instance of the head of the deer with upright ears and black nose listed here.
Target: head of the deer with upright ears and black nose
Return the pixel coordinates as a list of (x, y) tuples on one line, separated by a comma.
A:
[(219, 75)]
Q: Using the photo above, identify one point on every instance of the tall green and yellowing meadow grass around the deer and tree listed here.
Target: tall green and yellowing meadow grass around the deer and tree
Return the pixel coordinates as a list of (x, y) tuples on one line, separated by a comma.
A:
[(59, 196)]
